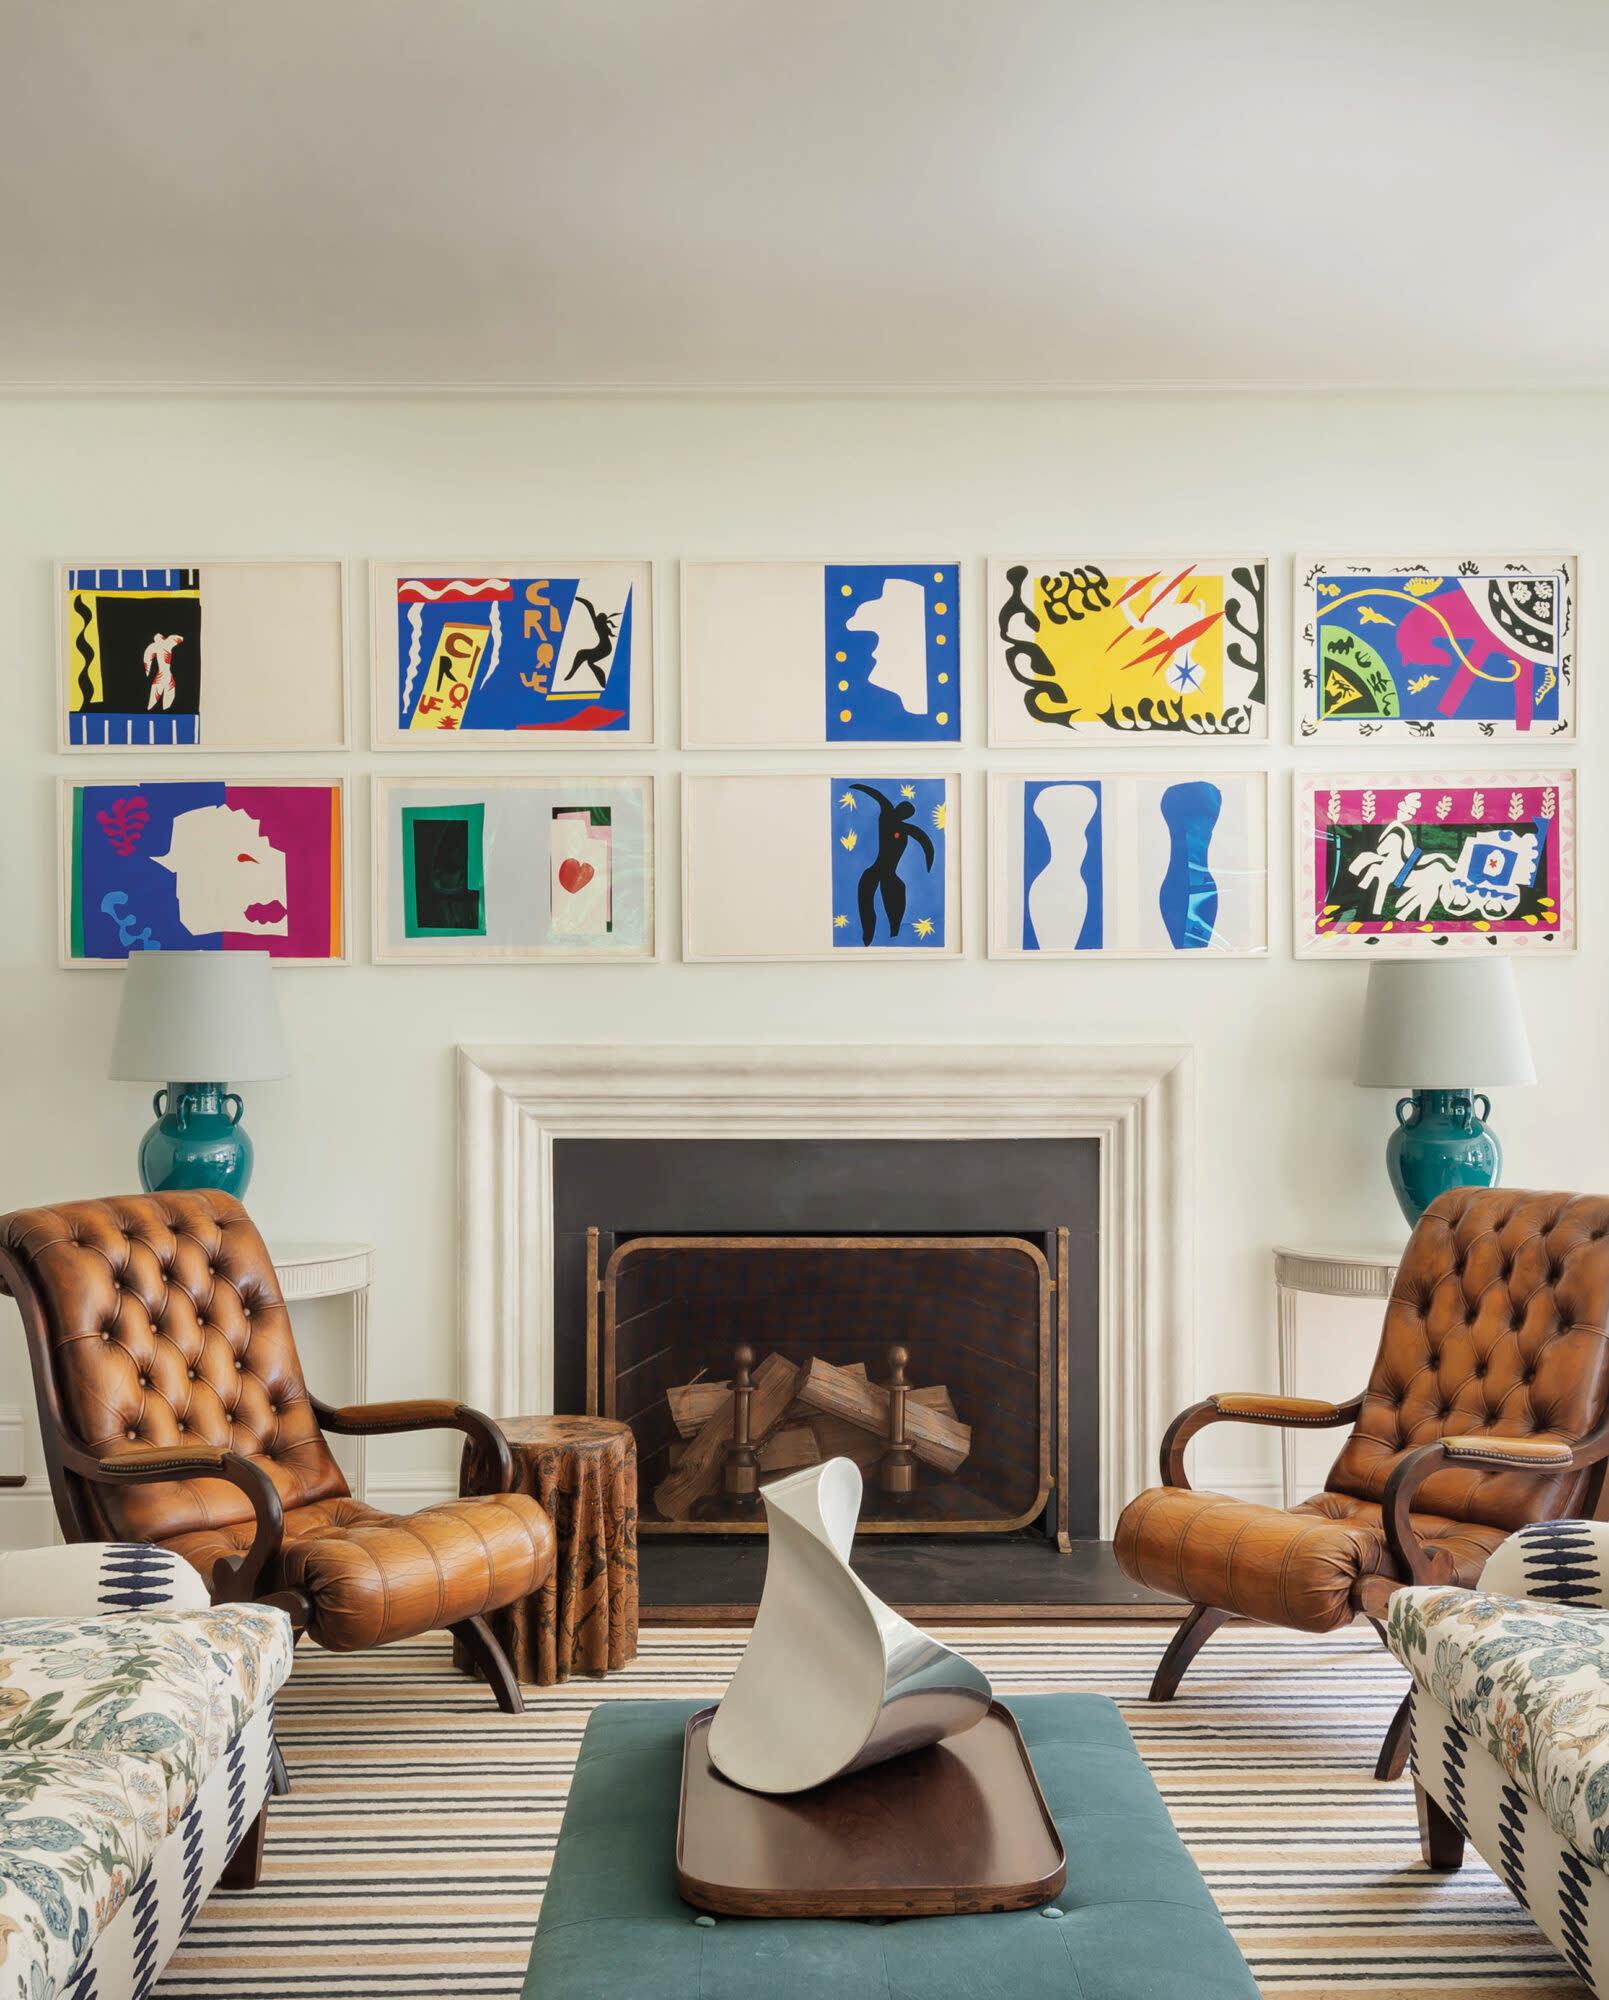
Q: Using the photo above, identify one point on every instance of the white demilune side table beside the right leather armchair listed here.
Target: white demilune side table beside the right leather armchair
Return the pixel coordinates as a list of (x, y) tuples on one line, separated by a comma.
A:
[(1334, 1363)]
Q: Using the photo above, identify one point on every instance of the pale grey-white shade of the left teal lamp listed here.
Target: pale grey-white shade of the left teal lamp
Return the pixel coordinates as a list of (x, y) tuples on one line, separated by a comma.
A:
[(199, 1017)]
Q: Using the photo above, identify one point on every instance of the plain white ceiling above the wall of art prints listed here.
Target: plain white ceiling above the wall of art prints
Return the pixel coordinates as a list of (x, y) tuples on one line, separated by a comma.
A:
[(803, 193)]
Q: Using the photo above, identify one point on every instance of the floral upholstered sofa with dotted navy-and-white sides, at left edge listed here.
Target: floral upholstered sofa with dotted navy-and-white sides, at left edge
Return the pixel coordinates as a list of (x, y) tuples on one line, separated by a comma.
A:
[(137, 1739)]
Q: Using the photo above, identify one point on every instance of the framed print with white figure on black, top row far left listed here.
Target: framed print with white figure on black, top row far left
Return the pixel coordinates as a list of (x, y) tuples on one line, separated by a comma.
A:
[(203, 657)]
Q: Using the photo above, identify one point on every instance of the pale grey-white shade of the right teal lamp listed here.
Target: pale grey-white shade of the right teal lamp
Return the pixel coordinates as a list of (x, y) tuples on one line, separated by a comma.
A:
[(1444, 1027)]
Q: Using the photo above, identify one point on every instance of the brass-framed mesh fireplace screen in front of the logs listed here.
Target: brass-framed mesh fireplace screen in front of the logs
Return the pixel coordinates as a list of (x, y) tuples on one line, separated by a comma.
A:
[(974, 1313)]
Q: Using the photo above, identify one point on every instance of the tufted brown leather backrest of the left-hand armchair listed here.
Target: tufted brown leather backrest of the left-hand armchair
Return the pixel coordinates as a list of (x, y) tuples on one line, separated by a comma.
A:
[(165, 1325)]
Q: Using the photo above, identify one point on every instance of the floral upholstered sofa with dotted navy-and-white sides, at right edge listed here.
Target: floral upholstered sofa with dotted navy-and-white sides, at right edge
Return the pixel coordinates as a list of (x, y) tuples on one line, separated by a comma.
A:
[(1512, 1727)]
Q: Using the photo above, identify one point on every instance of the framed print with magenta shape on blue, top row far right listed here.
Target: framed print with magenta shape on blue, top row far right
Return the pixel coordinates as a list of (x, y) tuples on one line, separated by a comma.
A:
[(1454, 649)]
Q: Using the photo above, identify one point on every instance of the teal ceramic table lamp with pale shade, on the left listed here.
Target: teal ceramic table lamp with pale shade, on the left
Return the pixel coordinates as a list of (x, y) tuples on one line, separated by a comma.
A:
[(197, 1015)]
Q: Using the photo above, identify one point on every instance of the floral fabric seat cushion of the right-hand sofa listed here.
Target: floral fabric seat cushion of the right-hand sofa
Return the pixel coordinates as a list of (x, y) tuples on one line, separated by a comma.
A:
[(1530, 1685)]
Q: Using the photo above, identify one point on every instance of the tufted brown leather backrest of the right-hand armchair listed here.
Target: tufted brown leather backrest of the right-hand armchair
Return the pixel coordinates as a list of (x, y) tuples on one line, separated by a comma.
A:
[(1498, 1323)]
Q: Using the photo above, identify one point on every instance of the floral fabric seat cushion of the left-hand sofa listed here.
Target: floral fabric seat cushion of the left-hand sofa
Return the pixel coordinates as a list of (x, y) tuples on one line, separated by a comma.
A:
[(109, 1727)]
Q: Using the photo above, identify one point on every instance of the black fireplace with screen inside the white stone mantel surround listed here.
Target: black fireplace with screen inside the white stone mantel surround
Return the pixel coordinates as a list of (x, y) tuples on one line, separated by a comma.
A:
[(980, 1257)]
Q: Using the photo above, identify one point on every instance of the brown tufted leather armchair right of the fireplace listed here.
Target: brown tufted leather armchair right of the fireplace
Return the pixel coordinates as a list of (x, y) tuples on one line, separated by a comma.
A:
[(1488, 1409)]
